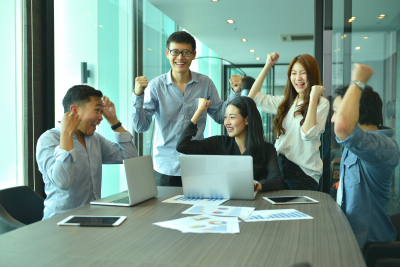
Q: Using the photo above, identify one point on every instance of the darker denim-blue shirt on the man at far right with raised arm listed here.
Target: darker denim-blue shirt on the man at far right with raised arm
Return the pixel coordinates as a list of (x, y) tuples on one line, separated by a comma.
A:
[(368, 161)]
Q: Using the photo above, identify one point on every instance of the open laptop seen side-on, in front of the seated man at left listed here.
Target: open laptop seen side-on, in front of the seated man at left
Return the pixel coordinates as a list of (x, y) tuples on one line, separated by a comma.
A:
[(141, 184)]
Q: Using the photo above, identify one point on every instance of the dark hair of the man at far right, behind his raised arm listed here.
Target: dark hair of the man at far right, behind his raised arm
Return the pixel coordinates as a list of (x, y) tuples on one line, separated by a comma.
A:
[(370, 106)]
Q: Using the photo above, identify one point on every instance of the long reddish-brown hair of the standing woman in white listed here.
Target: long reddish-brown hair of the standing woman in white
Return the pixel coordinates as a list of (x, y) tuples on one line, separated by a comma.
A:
[(311, 66)]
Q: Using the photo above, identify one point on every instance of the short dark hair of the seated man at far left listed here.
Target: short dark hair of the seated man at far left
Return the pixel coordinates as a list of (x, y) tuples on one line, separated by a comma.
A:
[(79, 95)]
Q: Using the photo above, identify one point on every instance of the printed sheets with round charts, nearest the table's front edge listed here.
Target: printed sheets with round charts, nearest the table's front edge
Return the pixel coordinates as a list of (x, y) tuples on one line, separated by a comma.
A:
[(203, 224)]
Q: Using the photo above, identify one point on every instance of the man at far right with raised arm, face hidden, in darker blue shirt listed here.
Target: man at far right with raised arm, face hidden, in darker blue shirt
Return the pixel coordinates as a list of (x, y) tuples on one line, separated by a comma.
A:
[(369, 158)]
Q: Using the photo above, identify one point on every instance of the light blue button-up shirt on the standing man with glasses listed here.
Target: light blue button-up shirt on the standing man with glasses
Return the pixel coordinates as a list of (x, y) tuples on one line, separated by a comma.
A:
[(172, 110)]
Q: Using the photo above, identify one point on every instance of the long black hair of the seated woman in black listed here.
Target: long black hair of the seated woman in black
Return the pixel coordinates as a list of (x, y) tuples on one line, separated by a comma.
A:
[(255, 145)]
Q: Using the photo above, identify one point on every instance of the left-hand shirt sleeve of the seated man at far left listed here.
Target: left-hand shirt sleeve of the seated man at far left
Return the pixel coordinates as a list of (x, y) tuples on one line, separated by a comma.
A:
[(55, 164)]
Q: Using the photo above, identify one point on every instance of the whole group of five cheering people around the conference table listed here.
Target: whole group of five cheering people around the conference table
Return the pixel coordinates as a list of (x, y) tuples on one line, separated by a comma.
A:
[(70, 155)]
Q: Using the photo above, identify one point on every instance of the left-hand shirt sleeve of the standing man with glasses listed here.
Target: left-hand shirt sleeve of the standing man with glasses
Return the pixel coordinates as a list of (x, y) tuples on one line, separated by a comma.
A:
[(143, 108)]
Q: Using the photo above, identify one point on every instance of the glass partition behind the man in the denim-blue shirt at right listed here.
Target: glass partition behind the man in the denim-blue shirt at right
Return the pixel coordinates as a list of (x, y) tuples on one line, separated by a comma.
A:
[(372, 38)]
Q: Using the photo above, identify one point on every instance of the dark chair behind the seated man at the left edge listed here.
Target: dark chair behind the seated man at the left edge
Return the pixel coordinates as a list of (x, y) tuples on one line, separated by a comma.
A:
[(19, 206)]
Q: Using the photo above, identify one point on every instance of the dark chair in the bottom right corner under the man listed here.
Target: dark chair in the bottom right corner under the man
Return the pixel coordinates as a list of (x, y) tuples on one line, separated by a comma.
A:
[(385, 254)]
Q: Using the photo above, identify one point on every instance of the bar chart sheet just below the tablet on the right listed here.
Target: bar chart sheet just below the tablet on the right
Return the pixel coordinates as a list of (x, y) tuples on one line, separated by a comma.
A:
[(276, 215)]
